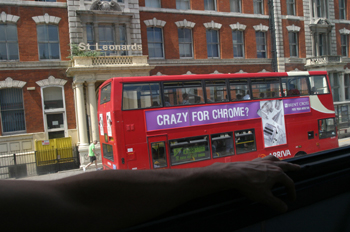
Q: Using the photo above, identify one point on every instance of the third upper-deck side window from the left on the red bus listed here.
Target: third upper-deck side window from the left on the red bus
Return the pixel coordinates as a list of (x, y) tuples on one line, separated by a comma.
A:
[(216, 91)]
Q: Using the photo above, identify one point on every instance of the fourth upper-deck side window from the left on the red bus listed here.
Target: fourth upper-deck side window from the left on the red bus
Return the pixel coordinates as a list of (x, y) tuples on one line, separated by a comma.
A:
[(239, 90)]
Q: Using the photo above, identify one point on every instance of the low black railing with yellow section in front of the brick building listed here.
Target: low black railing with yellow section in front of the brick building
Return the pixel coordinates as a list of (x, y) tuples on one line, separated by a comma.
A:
[(30, 163)]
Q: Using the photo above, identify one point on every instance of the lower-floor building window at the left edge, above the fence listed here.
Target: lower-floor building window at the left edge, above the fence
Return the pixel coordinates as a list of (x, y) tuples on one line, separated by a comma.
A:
[(12, 111)]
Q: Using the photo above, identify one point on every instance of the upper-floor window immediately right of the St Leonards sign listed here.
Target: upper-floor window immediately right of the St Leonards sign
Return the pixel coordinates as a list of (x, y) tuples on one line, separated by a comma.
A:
[(155, 42)]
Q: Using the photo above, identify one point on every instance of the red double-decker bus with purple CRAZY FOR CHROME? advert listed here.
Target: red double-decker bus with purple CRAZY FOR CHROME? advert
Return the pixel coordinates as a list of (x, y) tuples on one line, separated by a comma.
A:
[(190, 121)]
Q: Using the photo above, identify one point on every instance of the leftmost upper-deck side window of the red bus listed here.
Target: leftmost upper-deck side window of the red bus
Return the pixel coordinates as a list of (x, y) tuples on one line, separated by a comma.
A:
[(139, 96)]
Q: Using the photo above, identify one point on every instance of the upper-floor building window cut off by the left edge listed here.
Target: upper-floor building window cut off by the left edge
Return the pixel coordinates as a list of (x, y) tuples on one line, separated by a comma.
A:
[(8, 42)]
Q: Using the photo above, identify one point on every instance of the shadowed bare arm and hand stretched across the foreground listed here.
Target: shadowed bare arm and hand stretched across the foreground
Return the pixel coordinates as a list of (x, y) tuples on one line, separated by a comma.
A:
[(117, 199)]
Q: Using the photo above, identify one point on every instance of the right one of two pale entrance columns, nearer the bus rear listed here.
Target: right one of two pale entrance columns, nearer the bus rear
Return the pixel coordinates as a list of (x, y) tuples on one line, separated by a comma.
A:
[(93, 110)]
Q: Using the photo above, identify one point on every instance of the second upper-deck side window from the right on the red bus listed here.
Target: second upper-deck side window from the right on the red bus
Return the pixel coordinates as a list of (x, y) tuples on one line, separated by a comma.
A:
[(294, 86)]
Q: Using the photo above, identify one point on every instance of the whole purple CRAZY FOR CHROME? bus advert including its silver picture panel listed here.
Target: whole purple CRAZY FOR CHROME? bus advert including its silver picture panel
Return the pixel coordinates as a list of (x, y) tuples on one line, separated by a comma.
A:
[(272, 113)]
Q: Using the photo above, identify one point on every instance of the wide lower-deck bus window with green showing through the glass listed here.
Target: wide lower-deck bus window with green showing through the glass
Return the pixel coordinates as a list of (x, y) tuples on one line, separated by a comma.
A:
[(189, 150)]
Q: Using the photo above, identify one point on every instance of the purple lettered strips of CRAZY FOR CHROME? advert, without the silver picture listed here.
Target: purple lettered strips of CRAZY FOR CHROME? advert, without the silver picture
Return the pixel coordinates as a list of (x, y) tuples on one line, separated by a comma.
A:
[(192, 116)]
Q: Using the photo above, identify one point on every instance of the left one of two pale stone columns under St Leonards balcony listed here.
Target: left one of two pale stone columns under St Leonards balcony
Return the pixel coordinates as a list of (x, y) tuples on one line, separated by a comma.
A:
[(83, 139)]
